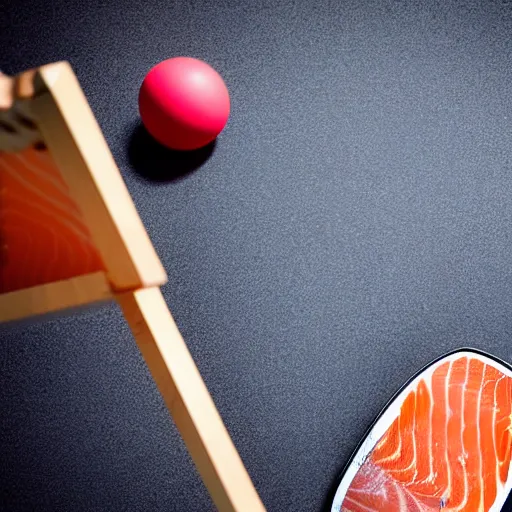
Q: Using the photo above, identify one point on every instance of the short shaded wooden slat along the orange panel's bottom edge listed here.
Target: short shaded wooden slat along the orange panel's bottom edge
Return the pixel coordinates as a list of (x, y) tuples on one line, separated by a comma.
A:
[(53, 297)]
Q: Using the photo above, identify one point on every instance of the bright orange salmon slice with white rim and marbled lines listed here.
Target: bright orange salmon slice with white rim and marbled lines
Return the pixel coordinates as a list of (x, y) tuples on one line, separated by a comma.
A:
[(443, 444)]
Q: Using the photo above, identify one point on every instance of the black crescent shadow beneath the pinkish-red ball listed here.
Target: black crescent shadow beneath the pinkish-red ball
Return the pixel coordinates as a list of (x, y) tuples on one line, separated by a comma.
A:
[(156, 163)]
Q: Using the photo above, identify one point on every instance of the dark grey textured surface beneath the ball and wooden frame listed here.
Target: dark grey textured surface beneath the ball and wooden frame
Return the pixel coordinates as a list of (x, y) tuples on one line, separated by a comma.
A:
[(352, 223)]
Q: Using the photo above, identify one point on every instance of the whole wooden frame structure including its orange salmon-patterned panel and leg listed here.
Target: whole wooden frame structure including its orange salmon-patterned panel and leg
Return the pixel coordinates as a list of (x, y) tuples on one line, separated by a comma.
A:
[(70, 236)]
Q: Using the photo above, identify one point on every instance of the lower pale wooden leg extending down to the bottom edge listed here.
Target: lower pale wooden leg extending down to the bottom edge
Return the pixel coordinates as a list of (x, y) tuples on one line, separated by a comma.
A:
[(189, 402)]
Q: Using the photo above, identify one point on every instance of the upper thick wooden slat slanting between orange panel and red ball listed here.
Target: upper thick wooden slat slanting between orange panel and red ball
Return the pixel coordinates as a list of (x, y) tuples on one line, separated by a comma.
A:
[(84, 159)]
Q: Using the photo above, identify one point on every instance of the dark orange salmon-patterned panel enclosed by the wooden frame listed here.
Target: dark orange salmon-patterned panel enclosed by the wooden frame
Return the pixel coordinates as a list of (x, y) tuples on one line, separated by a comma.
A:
[(43, 237)]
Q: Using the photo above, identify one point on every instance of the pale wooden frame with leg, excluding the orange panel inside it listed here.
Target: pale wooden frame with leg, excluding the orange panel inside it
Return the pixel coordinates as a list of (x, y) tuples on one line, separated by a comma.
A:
[(54, 109)]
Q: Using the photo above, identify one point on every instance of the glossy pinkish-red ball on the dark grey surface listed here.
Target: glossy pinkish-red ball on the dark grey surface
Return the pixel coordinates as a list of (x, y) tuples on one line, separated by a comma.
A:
[(184, 103)]
